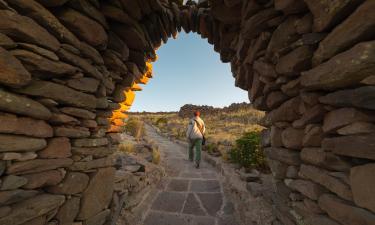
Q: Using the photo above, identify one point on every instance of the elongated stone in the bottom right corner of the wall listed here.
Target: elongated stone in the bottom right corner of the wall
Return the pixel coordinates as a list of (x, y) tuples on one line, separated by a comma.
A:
[(344, 212)]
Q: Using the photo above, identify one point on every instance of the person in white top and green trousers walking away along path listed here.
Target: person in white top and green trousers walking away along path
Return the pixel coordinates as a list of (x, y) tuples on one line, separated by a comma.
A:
[(195, 135)]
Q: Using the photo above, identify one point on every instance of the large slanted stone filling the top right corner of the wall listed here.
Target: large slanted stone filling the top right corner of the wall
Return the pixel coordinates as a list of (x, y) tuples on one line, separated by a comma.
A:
[(358, 27)]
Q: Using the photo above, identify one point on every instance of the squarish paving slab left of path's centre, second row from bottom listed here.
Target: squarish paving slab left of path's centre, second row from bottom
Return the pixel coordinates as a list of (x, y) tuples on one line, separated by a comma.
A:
[(169, 202)]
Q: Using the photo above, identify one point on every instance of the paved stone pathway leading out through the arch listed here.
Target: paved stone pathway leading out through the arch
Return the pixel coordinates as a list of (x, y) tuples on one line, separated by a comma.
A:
[(186, 196)]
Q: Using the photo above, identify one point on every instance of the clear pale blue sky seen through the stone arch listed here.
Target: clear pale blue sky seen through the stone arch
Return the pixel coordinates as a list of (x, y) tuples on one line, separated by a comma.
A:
[(188, 71)]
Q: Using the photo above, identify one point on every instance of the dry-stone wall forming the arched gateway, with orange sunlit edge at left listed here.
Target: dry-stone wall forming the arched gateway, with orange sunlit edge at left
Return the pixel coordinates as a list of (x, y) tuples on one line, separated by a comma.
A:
[(66, 65)]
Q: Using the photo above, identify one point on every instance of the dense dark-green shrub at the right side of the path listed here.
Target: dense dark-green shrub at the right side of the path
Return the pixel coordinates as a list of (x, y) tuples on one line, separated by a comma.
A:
[(247, 151)]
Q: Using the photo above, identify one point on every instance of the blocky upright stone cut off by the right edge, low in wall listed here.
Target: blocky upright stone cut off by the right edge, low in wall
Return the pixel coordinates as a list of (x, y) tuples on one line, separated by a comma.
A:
[(362, 183)]
